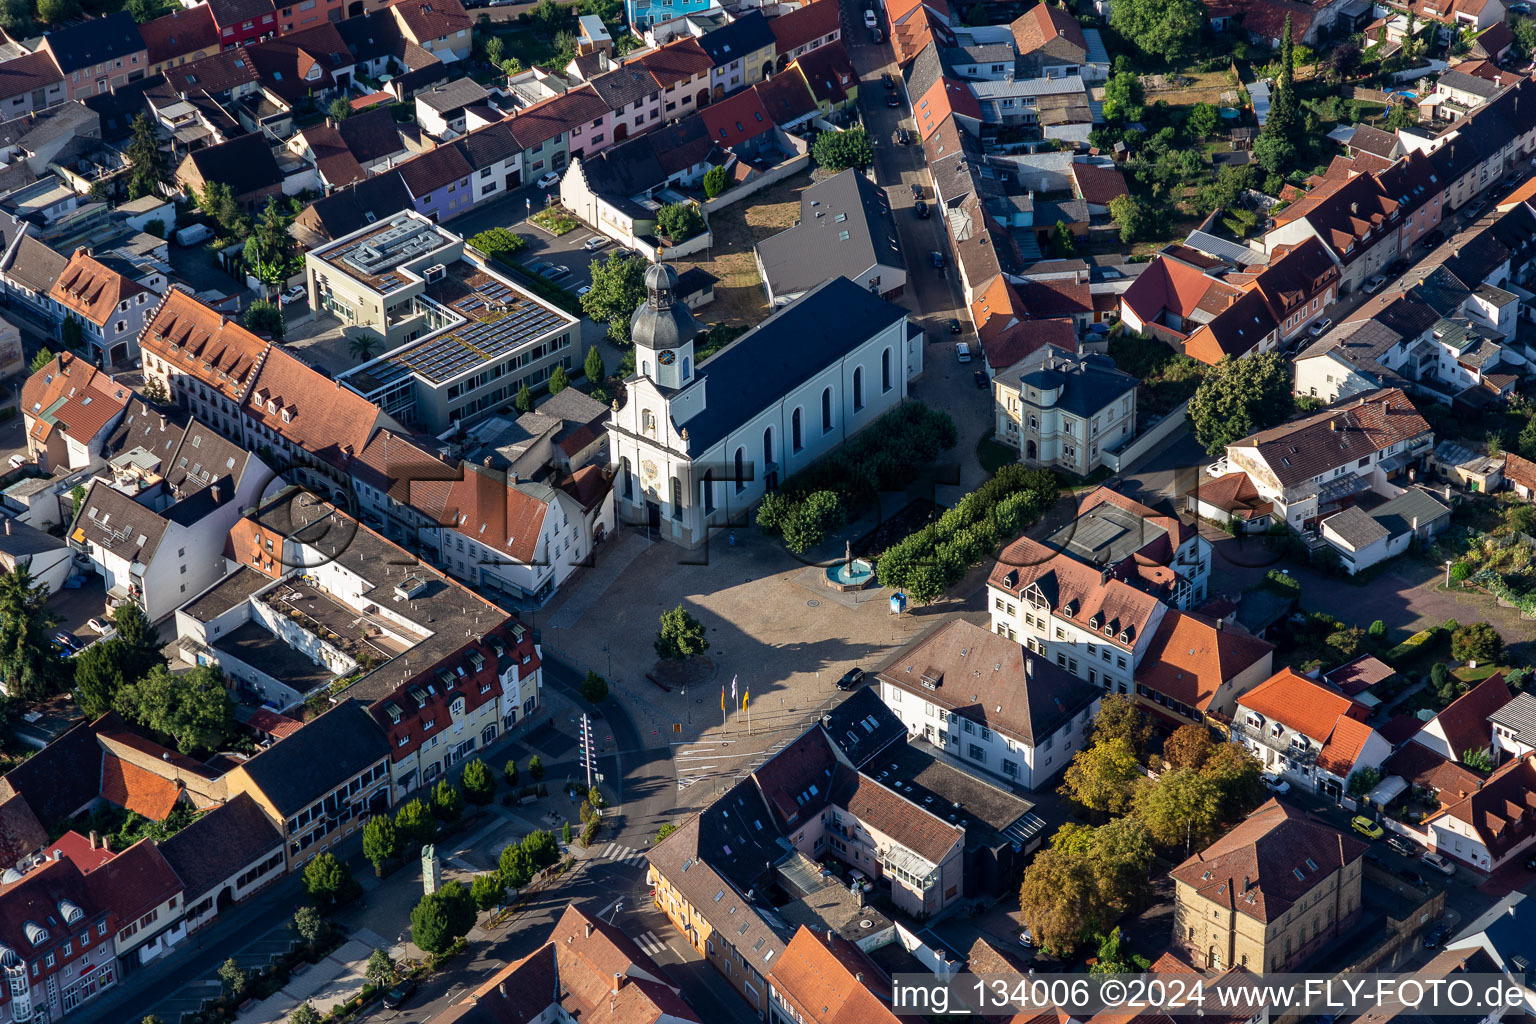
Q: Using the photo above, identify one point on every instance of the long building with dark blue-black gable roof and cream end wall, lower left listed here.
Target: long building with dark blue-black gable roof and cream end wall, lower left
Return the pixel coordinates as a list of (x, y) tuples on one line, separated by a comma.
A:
[(322, 784)]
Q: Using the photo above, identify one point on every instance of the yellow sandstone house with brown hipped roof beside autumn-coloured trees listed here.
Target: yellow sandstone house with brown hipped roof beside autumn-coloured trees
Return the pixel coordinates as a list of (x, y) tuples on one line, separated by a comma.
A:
[(1270, 894)]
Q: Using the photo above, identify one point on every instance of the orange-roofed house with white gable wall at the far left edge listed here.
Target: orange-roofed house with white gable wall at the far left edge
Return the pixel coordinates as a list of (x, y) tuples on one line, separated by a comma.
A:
[(70, 411)]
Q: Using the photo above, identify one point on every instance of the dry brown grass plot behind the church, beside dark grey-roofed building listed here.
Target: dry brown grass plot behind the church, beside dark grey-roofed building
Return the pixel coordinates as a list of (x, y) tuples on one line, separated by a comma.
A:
[(740, 297)]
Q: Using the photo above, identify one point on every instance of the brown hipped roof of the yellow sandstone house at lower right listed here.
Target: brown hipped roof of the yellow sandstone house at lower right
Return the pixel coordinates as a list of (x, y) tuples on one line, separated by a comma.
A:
[(1262, 867)]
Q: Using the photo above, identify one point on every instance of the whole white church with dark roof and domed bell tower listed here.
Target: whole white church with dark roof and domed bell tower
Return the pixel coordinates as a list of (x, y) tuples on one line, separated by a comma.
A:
[(697, 446)]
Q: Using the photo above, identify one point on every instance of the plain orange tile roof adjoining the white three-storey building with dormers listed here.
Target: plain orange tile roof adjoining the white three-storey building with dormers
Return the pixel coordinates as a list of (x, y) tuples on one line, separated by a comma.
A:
[(1191, 658)]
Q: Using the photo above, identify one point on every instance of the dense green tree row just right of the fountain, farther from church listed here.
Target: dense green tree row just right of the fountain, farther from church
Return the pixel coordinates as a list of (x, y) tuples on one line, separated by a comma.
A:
[(939, 555)]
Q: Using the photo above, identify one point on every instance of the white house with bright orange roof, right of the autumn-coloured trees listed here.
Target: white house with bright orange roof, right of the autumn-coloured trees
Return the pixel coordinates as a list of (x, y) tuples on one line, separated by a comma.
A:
[(1308, 735)]
